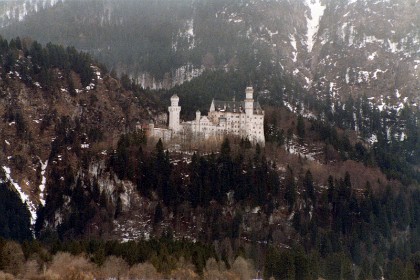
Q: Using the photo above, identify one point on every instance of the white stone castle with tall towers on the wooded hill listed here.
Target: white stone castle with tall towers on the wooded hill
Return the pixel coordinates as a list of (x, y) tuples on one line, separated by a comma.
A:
[(242, 118)]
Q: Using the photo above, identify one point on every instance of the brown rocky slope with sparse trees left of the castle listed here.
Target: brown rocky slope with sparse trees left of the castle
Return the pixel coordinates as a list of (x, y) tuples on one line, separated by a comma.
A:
[(57, 107)]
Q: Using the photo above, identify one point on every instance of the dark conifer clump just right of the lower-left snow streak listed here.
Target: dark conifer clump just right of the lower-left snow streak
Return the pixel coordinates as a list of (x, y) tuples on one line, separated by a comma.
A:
[(84, 206)]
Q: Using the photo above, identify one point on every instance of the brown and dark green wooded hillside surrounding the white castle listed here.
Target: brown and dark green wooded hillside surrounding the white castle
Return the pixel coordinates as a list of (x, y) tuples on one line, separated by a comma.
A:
[(334, 193)]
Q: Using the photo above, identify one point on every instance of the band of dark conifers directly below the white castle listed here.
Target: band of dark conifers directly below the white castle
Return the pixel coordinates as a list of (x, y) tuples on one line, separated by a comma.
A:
[(209, 177)]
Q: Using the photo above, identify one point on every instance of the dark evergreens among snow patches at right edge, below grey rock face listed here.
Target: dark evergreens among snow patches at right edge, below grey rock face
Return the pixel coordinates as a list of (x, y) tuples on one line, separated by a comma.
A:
[(395, 155)]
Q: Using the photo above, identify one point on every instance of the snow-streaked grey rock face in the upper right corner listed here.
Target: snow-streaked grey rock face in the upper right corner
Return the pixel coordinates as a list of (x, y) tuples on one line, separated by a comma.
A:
[(358, 47)]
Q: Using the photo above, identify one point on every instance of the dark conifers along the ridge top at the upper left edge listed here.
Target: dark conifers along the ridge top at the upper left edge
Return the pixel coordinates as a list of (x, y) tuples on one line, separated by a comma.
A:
[(45, 66)]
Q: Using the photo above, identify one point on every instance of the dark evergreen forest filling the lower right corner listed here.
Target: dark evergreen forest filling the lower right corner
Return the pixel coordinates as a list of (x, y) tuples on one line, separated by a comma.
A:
[(348, 236)]
